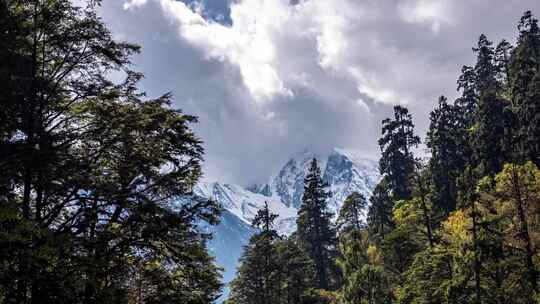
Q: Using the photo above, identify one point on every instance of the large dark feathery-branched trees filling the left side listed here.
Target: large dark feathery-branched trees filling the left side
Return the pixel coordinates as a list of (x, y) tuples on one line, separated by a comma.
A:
[(91, 170)]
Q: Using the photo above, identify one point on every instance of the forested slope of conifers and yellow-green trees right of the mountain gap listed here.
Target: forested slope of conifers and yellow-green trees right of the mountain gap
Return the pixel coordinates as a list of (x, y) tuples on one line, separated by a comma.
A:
[(462, 226)]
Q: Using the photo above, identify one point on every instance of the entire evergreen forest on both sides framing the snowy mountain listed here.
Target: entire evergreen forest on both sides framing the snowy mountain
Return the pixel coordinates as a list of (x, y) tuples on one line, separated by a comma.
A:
[(97, 178)]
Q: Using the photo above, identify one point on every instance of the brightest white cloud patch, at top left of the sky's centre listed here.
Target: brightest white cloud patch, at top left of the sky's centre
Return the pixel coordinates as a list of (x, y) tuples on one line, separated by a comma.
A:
[(247, 44)]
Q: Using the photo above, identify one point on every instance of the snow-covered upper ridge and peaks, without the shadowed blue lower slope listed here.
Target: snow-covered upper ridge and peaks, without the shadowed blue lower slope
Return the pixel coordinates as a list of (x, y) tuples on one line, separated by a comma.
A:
[(344, 171)]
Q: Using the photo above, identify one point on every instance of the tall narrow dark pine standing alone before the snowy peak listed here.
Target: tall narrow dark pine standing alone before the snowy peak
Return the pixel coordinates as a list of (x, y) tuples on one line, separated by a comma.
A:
[(315, 231)]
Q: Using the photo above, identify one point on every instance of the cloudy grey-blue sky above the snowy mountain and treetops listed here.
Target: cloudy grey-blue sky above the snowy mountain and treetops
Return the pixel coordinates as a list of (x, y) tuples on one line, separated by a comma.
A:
[(270, 78)]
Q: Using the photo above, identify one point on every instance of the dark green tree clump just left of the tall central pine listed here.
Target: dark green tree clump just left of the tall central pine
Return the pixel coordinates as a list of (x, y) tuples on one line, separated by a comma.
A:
[(272, 269)]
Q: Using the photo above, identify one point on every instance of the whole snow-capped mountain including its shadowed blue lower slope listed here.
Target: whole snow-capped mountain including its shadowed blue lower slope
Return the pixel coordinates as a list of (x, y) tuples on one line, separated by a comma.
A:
[(343, 170)]
